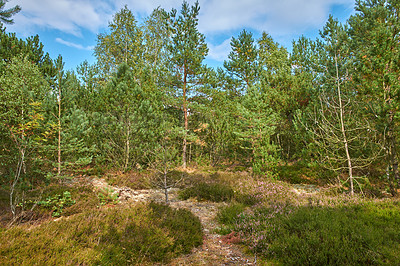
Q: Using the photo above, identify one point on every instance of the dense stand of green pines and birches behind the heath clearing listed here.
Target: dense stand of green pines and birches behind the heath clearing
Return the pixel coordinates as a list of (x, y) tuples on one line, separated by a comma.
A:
[(328, 108)]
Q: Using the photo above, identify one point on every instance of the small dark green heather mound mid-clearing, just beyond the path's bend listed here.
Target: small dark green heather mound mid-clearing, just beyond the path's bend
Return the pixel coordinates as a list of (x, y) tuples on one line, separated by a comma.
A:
[(212, 192)]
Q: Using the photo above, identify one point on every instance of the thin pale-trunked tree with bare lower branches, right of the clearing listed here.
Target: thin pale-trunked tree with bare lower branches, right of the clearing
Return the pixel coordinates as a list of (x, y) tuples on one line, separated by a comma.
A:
[(342, 137)]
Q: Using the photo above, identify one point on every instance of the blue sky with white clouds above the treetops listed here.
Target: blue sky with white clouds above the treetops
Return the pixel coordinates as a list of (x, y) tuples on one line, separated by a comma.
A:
[(70, 27)]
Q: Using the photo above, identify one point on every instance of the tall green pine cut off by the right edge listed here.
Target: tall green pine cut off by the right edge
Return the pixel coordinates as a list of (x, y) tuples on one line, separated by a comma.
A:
[(375, 33)]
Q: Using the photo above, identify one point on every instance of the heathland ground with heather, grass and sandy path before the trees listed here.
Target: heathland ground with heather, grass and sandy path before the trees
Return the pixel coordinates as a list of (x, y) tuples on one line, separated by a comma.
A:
[(234, 218)]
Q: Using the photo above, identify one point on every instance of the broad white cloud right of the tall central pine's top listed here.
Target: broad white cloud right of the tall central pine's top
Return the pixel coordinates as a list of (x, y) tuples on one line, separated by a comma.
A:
[(276, 17)]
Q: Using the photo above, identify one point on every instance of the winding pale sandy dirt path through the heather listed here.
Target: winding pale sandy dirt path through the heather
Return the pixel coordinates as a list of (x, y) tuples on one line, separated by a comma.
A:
[(216, 249)]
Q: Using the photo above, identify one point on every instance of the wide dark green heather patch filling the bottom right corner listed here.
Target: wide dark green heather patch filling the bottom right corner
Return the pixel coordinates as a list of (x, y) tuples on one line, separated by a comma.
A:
[(358, 234)]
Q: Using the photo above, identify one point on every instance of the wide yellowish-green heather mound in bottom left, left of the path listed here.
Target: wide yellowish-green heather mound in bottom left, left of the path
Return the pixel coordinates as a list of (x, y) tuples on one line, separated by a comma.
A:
[(137, 234)]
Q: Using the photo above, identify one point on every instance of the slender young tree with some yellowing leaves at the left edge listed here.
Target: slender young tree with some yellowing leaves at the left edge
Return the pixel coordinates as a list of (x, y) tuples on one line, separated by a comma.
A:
[(22, 92)]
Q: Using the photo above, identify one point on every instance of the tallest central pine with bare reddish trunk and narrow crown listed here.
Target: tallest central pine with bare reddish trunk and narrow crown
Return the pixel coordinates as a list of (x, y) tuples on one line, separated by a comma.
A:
[(188, 50)]
